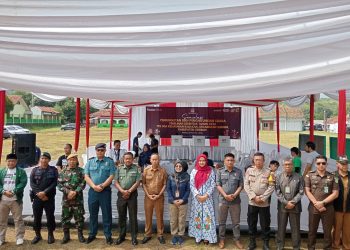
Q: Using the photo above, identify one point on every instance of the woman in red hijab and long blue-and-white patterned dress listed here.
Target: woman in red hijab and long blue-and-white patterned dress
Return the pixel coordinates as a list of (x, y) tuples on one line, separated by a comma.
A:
[(202, 184)]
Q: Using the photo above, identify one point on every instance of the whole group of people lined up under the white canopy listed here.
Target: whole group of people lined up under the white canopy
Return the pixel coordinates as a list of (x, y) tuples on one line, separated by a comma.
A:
[(327, 192)]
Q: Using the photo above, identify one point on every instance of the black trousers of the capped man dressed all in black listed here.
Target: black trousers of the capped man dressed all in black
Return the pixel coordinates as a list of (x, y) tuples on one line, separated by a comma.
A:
[(38, 207)]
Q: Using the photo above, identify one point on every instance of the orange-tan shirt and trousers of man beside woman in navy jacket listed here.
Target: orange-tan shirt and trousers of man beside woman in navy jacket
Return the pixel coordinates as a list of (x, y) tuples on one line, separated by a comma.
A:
[(153, 181)]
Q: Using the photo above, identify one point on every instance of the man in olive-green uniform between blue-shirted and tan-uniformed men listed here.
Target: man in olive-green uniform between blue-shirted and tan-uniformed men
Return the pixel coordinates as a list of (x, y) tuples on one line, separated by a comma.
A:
[(127, 179)]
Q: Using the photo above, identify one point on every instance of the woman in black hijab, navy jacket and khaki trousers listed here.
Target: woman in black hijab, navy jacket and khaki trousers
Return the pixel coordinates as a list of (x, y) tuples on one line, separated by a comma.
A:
[(178, 188)]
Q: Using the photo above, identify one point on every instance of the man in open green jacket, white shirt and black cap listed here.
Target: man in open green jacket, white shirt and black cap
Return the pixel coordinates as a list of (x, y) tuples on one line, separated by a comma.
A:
[(12, 183)]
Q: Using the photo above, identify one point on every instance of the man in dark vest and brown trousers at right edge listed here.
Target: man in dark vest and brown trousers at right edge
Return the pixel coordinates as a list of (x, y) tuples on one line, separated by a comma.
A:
[(341, 232)]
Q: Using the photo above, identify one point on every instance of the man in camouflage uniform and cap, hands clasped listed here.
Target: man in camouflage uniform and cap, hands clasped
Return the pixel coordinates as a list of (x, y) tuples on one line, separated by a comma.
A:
[(72, 183)]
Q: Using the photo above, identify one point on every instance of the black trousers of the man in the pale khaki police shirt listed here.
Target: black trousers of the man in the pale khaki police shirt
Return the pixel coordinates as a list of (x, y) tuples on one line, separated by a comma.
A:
[(263, 213)]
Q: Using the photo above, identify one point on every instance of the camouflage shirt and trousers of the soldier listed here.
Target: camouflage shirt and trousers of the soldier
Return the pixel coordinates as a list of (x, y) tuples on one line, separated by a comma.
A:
[(72, 179)]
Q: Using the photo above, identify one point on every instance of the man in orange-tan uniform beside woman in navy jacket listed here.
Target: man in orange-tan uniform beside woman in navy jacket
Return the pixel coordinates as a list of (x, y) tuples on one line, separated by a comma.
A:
[(154, 183)]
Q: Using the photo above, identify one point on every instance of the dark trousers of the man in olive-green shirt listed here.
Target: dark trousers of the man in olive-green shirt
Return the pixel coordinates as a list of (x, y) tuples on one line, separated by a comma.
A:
[(123, 206)]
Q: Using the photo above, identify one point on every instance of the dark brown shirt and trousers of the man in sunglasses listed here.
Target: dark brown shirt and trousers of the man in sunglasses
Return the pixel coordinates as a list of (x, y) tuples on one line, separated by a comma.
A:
[(321, 188)]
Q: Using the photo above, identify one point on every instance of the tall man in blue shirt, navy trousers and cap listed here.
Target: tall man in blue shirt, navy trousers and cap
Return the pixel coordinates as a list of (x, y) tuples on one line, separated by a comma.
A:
[(99, 174)]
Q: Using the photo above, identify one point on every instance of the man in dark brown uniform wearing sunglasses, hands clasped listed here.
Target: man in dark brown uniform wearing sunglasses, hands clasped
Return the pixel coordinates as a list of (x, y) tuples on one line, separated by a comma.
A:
[(321, 187)]
